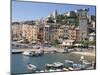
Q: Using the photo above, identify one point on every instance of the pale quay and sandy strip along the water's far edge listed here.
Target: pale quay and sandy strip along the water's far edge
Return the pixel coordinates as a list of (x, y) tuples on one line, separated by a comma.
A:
[(51, 50)]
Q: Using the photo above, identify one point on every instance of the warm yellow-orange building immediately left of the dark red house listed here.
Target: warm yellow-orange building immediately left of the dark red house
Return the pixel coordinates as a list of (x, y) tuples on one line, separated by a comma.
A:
[(30, 32)]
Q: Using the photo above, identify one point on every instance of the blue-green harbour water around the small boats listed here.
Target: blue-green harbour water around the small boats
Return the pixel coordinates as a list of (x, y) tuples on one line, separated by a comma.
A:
[(19, 61)]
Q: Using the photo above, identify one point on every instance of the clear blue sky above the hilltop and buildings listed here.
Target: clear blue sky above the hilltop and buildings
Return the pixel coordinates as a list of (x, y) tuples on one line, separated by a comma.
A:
[(22, 11)]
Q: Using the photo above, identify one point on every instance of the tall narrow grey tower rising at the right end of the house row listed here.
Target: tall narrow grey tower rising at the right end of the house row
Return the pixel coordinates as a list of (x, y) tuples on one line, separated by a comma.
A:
[(83, 24)]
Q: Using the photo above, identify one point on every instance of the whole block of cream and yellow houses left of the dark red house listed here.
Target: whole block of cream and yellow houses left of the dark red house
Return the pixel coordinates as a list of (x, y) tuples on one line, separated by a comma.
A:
[(24, 32)]
